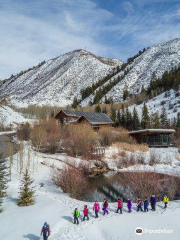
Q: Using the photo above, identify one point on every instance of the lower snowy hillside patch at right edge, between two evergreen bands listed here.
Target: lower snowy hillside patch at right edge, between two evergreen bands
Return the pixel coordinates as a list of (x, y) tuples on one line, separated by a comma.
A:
[(170, 100)]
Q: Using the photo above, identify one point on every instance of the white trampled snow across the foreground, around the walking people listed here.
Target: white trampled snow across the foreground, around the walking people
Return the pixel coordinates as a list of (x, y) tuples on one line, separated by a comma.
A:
[(55, 207)]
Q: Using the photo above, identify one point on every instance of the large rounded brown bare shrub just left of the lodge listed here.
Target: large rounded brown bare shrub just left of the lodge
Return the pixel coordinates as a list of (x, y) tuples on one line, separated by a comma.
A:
[(46, 134)]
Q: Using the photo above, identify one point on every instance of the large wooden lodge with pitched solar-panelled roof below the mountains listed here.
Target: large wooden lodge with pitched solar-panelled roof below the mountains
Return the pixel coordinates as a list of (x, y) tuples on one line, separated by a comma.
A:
[(95, 120)]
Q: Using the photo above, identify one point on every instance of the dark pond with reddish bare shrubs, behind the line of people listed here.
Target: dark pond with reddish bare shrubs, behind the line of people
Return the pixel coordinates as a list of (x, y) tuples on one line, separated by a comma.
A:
[(126, 185)]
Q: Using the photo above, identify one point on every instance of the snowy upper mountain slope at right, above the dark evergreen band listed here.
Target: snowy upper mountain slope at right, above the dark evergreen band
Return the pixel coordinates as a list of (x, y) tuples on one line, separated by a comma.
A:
[(155, 60)]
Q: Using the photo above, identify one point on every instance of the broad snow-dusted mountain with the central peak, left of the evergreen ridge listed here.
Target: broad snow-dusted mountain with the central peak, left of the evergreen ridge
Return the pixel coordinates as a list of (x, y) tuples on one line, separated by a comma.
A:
[(58, 80)]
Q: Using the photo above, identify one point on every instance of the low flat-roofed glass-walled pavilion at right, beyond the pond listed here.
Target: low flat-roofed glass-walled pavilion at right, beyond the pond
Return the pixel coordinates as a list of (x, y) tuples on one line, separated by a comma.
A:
[(154, 137)]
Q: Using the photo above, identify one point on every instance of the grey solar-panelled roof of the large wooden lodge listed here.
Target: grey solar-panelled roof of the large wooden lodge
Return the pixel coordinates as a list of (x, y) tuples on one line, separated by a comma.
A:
[(92, 117)]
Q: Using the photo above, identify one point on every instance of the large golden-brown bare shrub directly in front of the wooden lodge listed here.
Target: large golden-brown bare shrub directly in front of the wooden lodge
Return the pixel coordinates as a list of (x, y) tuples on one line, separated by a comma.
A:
[(79, 140)]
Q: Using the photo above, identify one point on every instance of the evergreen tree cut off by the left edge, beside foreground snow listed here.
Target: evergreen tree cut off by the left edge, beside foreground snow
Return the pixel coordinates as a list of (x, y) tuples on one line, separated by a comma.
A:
[(4, 178)]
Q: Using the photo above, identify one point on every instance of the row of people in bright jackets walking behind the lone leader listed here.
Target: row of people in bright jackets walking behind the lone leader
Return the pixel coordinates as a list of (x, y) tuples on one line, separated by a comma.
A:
[(142, 205)]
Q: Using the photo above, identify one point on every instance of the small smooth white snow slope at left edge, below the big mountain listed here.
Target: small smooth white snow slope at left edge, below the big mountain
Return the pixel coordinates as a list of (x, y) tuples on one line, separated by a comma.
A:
[(9, 117)]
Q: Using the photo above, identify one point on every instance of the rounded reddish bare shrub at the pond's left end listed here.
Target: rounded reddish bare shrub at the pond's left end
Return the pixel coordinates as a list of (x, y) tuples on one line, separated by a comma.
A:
[(71, 181)]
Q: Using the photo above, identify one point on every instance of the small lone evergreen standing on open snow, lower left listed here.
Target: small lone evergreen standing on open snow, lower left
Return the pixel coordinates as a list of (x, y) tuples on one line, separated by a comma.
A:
[(26, 192)]
